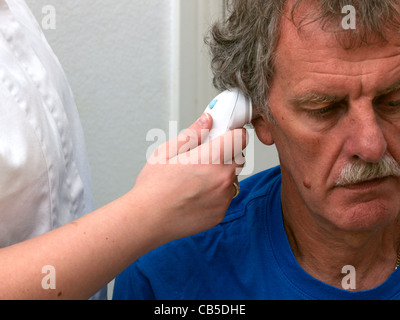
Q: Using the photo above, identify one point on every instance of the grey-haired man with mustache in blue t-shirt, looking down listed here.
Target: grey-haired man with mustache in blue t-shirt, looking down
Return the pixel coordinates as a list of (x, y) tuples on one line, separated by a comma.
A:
[(325, 224)]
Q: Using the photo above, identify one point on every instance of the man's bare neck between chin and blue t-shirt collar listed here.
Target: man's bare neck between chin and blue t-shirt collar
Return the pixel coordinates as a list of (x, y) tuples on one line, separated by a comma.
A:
[(330, 254)]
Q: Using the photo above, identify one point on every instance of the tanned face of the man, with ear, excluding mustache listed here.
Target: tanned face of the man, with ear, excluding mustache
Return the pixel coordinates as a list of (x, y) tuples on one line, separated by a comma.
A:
[(333, 107)]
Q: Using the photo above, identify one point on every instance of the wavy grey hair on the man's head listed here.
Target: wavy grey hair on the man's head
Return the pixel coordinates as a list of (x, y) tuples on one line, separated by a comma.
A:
[(243, 45)]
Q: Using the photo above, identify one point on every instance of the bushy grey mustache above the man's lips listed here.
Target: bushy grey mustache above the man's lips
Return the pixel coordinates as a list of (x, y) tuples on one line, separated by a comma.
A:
[(361, 171)]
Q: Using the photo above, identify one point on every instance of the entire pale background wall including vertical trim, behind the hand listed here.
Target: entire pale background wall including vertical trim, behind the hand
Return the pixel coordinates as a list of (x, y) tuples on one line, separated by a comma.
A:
[(133, 65)]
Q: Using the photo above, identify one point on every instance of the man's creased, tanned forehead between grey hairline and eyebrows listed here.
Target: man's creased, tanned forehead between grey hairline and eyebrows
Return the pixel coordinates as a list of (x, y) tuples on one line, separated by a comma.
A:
[(308, 59)]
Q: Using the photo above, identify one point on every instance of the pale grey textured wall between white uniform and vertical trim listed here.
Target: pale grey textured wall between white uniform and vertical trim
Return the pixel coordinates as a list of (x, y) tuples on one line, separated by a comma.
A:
[(117, 58)]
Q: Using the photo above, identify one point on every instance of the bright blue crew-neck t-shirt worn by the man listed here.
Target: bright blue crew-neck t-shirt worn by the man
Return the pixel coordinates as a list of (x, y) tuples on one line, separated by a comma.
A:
[(247, 256)]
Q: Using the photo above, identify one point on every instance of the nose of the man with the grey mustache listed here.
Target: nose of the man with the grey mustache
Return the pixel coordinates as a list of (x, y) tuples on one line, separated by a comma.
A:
[(366, 140)]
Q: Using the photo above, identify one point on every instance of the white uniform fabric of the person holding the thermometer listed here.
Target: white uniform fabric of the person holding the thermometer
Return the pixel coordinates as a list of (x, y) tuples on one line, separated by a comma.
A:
[(44, 175)]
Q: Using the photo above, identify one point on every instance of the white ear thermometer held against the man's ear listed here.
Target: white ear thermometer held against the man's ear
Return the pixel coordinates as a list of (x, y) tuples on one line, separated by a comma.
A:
[(230, 110)]
